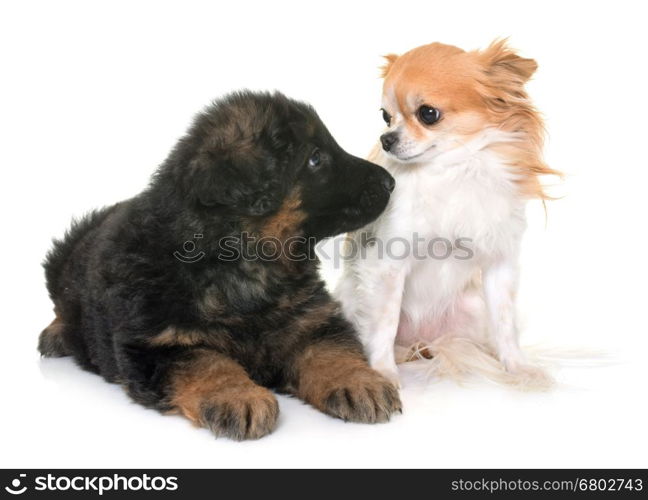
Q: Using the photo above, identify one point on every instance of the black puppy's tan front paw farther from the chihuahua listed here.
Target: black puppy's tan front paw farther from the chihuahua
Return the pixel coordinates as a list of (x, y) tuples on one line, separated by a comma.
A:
[(247, 414)]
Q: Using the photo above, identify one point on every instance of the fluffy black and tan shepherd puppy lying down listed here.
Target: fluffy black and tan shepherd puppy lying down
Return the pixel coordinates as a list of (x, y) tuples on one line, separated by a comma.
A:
[(255, 182)]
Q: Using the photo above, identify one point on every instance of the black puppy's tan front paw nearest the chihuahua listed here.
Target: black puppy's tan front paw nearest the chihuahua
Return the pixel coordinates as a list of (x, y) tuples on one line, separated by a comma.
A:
[(366, 396)]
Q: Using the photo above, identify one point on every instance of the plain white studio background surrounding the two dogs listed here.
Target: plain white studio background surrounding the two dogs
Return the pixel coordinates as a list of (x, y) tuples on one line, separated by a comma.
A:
[(93, 96)]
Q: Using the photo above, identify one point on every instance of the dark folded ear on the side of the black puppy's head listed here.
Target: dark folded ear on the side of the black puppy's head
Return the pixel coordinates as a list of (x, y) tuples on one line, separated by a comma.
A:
[(227, 184)]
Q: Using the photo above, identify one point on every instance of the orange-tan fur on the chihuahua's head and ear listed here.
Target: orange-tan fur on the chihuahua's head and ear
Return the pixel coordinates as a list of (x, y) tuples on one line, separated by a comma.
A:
[(474, 91)]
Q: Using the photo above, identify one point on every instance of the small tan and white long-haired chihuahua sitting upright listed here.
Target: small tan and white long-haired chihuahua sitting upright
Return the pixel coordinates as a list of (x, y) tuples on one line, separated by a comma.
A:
[(464, 143)]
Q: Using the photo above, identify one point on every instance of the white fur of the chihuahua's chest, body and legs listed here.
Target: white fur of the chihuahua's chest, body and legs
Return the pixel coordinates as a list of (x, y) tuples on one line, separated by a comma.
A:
[(460, 311)]
